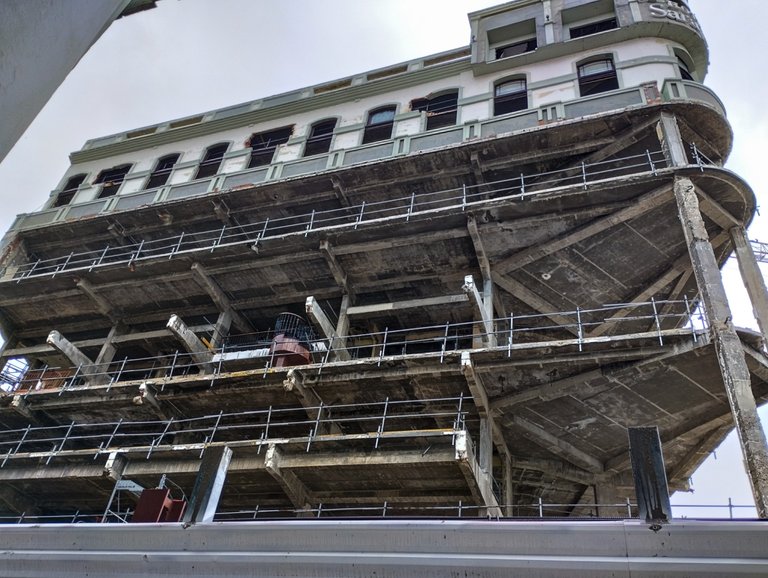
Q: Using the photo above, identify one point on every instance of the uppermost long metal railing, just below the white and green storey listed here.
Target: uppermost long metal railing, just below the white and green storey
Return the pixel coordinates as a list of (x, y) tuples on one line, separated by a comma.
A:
[(516, 189)]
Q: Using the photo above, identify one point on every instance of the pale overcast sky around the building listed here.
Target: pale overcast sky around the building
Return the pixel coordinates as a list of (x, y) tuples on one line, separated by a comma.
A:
[(190, 56)]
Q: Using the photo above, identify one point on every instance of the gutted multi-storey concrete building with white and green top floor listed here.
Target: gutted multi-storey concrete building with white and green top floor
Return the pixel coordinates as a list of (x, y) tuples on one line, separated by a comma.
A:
[(445, 288)]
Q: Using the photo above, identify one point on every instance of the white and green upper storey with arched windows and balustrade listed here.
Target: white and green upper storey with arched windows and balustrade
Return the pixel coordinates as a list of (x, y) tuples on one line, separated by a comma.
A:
[(529, 63)]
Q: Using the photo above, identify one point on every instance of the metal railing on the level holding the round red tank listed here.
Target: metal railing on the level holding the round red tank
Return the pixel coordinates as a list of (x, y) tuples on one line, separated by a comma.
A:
[(649, 320)]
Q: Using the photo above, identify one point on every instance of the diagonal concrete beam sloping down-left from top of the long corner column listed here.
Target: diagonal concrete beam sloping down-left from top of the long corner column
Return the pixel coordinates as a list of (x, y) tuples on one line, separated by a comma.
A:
[(642, 205)]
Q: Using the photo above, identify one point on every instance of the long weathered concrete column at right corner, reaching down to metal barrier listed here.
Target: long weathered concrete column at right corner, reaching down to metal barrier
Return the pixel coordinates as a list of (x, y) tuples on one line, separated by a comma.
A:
[(730, 355)]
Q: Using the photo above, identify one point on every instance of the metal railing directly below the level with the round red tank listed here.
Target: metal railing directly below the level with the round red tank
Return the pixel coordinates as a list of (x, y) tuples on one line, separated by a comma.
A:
[(371, 421)]
